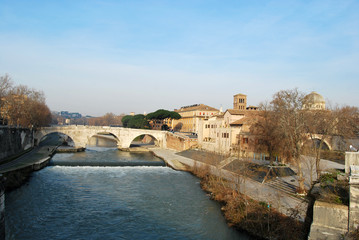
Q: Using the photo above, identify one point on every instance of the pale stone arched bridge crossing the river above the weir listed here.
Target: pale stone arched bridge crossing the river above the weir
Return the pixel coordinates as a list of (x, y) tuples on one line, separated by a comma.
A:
[(82, 134)]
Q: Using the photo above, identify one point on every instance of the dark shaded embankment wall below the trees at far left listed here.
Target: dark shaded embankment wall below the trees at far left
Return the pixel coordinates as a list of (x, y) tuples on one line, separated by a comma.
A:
[(13, 141)]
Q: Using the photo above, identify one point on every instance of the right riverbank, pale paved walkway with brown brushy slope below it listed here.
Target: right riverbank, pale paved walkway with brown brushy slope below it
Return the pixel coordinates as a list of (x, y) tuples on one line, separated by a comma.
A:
[(247, 205)]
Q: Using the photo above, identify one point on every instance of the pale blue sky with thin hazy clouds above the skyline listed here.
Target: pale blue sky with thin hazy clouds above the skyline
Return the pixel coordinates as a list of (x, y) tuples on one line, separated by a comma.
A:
[(123, 56)]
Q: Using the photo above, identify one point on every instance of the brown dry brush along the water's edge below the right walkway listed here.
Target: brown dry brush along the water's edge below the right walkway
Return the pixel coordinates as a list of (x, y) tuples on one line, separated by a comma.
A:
[(247, 214)]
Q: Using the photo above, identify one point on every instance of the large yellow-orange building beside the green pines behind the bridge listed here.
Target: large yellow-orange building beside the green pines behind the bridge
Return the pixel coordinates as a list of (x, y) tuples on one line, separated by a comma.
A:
[(191, 116)]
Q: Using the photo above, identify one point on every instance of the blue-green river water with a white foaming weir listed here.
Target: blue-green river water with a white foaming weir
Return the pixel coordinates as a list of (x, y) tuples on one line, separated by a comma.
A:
[(112, 201)]
